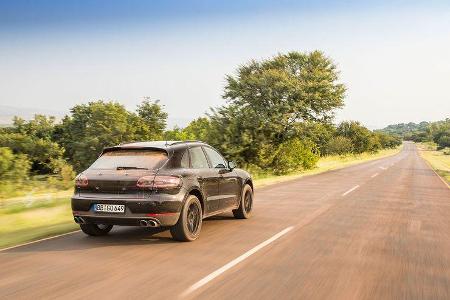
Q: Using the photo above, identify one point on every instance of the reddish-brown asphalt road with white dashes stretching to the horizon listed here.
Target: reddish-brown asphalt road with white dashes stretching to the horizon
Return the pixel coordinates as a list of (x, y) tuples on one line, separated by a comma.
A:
[(378, 230)]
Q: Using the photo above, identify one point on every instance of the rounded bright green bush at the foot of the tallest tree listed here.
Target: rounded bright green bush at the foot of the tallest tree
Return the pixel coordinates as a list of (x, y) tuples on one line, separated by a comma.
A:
[(294, 155)]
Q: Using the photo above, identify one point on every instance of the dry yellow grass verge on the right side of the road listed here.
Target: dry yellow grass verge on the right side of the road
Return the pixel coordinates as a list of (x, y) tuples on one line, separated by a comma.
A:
[(438, 160)]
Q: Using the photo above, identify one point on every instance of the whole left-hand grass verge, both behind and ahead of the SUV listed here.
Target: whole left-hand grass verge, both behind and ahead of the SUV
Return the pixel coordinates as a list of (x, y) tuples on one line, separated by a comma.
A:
[(27, 218)]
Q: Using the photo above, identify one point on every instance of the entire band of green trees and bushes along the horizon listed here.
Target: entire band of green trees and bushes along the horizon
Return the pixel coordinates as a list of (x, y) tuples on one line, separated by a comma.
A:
[(277, 118)]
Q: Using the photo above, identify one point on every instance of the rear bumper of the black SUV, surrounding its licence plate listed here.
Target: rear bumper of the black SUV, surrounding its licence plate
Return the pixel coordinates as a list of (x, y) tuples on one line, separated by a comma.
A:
[(162, 208)]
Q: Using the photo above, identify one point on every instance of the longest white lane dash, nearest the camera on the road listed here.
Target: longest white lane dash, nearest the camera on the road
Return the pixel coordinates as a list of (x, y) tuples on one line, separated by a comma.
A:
[(234, 262)]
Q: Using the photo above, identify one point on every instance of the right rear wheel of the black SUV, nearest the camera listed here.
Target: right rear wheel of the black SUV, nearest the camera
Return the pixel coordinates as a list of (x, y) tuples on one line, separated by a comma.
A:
[(189, 224)]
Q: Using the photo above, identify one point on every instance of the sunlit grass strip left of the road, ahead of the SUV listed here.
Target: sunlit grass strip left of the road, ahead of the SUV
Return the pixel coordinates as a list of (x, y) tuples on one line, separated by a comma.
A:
[(324, 164)]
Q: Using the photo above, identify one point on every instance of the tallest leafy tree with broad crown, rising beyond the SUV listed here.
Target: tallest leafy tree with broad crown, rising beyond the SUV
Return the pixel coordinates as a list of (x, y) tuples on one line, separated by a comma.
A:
[(268, 99)]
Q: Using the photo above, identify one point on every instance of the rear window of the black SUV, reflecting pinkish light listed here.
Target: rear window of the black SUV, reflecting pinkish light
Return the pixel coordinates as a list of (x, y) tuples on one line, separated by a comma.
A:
[(130, 159)]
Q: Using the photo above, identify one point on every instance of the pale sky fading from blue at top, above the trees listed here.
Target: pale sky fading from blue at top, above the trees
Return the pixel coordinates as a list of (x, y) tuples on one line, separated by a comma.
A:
[(393, 55)]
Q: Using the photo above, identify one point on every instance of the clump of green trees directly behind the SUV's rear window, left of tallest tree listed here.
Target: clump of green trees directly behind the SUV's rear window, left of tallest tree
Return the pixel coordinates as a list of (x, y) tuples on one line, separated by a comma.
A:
[(96, 125)]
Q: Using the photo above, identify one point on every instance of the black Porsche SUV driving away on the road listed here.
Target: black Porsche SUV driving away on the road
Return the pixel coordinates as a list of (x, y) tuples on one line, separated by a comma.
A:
[(160, 184)]
